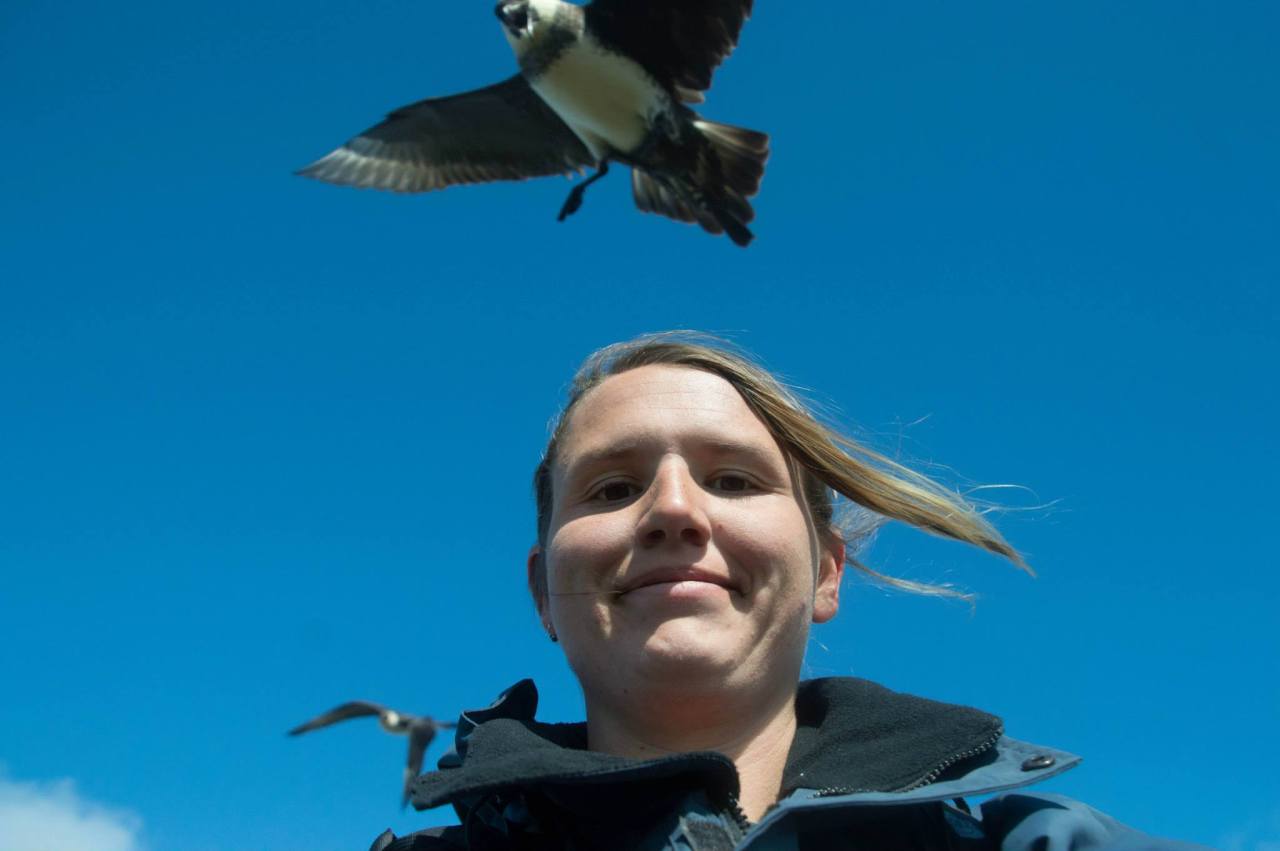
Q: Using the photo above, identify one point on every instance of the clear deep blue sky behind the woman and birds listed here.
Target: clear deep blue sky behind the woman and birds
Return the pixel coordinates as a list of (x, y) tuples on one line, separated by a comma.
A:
[(266, 443)]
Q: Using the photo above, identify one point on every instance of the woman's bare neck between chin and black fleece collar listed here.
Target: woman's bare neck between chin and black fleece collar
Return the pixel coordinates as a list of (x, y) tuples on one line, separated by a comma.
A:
[(757, 739)]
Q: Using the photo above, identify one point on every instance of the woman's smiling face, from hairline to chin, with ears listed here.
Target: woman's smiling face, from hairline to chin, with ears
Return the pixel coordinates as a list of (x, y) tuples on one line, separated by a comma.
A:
[(680, 548)]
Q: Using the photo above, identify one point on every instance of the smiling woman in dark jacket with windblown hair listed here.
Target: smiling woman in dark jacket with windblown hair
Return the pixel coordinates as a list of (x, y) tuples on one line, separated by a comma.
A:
[(687, 541)]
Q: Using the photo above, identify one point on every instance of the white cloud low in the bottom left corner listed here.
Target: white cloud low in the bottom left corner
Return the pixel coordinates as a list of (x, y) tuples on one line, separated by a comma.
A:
[(53, 817)]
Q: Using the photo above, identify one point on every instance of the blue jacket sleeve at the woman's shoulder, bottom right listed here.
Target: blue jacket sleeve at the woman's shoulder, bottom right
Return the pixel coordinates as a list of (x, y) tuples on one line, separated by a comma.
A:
[(1057, 823)]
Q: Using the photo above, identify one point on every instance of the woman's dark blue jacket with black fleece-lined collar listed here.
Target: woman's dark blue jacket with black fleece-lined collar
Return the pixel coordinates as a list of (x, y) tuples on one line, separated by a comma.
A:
[(870, 768)]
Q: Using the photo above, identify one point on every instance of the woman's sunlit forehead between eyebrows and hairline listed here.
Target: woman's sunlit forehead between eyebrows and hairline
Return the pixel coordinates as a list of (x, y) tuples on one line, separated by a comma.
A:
[(661, 405)]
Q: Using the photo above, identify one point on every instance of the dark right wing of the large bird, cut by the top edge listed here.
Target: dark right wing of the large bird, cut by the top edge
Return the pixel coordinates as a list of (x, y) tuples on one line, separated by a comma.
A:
[(682, 43)]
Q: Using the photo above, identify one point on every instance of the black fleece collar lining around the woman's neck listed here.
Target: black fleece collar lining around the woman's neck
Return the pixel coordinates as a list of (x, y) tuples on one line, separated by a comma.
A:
[(852, 735)]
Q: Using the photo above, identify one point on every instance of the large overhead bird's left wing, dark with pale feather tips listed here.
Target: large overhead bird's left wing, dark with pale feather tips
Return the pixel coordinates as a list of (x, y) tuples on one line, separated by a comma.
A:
[(504, 132)]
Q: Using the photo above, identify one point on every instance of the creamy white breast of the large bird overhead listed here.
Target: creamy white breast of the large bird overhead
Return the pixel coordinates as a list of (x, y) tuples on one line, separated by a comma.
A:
[(605, 98)]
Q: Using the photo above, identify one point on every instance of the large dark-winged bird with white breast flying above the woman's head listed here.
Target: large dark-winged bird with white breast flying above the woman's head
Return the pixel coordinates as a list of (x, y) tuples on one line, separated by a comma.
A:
[(598, 84)]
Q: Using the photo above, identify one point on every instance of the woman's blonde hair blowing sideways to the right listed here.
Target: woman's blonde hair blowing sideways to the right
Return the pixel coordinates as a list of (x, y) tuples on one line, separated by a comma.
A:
[(829, 461)]
